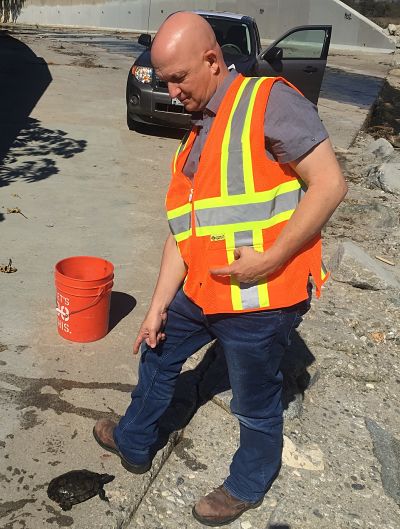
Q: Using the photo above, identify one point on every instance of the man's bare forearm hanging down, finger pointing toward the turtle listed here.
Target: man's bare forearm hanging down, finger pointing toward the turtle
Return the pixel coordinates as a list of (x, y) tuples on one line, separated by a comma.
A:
[(172, 273)]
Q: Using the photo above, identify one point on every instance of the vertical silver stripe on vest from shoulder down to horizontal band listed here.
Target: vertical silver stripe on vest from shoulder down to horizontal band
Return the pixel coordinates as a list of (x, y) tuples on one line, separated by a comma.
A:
[(235, 156)]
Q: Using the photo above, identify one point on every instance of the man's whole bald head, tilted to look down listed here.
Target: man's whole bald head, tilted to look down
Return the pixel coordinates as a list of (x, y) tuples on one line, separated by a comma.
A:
[(186, 55)]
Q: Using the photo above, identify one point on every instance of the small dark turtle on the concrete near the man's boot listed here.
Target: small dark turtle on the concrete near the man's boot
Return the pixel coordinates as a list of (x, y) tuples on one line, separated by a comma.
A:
[(77, 486)]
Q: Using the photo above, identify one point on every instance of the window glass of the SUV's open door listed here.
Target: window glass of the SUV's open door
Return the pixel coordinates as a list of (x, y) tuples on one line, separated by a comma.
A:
[(303, 44)]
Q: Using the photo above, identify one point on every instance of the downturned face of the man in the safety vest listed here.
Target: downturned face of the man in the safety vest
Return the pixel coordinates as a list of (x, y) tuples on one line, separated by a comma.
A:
[(189, 79)]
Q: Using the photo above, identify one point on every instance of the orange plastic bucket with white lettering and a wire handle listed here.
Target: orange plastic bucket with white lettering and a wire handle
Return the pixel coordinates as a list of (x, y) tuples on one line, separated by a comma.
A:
[(83, 286)]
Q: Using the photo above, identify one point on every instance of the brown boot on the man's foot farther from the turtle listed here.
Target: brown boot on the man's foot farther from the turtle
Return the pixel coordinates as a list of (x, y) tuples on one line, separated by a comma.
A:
[(220, 508)]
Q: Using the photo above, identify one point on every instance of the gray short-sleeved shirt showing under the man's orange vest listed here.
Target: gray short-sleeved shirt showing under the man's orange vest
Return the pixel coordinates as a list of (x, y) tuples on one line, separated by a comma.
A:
[(292, 126)]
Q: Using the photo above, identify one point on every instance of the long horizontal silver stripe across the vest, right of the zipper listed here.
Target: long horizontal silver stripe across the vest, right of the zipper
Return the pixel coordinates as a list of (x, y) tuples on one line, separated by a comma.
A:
[(248, 212)]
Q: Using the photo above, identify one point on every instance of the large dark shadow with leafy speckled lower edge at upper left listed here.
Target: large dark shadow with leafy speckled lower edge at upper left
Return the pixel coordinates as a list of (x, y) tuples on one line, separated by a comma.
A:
[(27, 149)]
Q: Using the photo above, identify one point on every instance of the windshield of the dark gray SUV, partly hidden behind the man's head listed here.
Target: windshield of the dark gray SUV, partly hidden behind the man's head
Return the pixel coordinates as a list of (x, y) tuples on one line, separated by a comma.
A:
[(232, 35)]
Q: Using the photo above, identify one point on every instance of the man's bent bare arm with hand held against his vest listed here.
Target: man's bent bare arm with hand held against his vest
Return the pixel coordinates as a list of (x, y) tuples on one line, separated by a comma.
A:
[(320, 171)]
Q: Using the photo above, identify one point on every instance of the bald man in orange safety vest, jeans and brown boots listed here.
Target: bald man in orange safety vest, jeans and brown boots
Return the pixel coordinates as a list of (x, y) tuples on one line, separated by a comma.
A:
[(246, 203)]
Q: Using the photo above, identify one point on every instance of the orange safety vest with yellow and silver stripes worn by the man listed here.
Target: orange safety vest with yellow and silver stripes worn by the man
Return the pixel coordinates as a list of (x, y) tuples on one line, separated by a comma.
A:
[(238, 197)]
